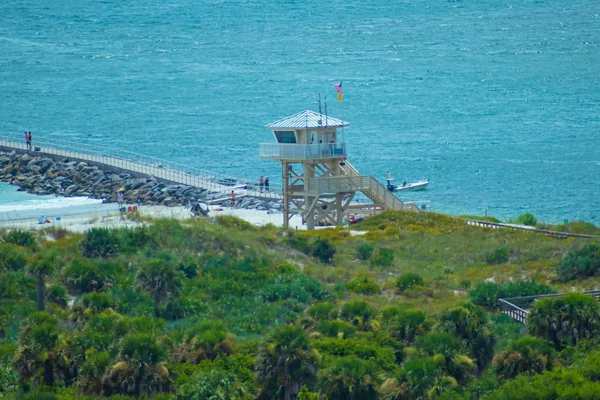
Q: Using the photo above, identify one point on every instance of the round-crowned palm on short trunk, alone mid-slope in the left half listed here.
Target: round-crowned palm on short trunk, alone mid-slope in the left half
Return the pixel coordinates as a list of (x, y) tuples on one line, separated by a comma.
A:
[(161, 279)]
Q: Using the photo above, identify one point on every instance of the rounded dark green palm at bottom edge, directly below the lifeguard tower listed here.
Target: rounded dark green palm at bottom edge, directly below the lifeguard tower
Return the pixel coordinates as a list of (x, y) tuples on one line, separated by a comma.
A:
[(285, 360)]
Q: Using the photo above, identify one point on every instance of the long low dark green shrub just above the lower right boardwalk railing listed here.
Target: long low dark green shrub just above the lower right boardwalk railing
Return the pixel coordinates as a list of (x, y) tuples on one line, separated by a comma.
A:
[(486, 294)]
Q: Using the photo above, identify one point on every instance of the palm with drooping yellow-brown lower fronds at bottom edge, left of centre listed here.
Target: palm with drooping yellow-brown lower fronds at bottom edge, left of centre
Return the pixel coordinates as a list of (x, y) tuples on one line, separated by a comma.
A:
[(140, 371)]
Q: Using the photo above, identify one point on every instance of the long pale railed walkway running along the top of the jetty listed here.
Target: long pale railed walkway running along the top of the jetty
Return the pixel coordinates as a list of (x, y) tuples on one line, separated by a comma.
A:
[(143, 166)]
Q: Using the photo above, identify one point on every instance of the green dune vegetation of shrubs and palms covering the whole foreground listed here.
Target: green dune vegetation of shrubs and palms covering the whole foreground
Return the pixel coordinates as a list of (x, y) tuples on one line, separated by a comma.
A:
[(221, 309)]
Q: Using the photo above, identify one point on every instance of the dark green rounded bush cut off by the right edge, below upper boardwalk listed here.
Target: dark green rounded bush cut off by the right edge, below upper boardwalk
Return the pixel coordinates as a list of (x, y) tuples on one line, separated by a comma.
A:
[(579, 264)]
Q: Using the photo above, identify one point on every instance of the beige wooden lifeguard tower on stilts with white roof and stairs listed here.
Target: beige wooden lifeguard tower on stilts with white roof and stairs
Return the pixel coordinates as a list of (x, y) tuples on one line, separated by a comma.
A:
[(318, 181)]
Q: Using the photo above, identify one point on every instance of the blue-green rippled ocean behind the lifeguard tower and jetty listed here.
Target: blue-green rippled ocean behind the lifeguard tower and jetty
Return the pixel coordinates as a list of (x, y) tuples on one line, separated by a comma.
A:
[(496, 102)]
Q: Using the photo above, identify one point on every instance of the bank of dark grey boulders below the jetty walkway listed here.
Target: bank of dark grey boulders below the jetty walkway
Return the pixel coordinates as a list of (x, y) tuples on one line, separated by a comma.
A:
[(70, 178)]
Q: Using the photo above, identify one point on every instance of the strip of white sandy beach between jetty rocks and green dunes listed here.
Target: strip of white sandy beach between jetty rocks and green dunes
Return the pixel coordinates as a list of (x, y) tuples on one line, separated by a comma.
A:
[(115, 219)]
